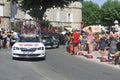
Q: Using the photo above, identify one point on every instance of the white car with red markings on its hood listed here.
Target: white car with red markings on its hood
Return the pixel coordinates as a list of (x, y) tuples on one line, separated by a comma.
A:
[(28, 46)]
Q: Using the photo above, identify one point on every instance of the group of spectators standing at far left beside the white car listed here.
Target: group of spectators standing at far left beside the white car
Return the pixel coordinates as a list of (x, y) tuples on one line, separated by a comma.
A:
[(8, 38)]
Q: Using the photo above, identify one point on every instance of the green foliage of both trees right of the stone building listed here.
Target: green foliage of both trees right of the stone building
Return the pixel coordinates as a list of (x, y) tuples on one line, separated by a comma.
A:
[(105, 15)]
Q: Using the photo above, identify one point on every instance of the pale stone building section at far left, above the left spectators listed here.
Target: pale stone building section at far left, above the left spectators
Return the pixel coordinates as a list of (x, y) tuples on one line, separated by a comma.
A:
[(5, 14)]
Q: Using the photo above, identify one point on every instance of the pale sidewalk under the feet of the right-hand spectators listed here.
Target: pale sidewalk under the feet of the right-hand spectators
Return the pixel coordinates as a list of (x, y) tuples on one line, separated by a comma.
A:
[(96, 58)]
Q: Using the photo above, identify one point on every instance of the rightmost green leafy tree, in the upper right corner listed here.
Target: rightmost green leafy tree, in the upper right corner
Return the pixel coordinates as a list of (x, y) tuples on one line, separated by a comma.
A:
[(110, 11)]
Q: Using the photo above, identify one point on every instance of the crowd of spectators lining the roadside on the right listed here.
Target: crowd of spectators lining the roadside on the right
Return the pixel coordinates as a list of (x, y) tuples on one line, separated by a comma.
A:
[(102, 42)]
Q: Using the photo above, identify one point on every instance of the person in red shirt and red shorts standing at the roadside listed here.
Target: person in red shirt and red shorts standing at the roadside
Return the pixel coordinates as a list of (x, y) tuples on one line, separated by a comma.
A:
[(75, 36)]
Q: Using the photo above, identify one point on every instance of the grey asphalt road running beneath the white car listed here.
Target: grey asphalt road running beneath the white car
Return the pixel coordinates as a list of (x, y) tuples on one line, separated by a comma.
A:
[(59, 65)]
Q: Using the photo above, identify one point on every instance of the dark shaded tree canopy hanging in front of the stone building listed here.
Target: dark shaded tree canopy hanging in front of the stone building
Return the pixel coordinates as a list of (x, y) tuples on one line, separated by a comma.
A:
[(37, 8)]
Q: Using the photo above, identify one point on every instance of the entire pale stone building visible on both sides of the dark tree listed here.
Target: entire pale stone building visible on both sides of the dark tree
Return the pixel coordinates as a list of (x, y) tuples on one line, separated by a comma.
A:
[(69, 17)]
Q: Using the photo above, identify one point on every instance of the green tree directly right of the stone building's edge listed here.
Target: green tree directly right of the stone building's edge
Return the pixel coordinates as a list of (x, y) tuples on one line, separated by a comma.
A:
[(90, 13)]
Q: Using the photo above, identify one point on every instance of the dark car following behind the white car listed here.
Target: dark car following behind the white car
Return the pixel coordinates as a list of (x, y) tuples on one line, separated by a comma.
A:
[(50, 41)]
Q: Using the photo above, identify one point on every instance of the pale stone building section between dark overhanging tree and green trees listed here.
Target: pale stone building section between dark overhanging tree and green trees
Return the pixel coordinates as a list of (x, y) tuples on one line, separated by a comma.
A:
[(69, 17)]
